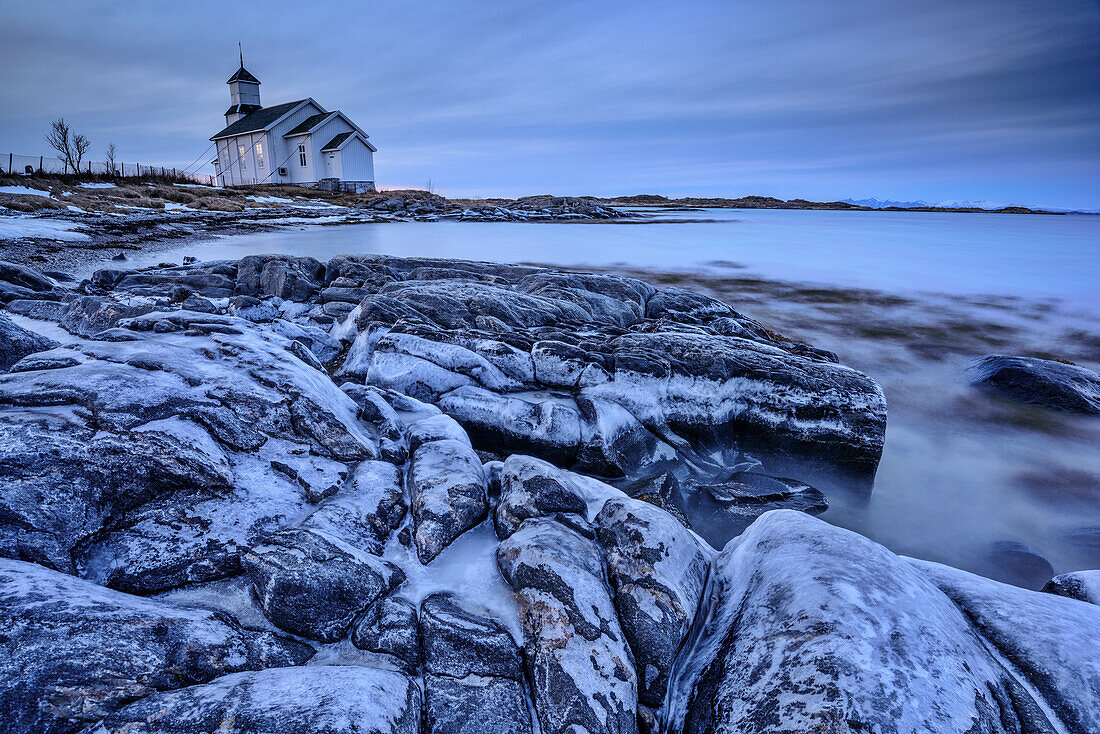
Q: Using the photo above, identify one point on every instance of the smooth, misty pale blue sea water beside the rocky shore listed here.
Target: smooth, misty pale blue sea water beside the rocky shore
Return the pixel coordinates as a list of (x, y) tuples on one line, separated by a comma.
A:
[(909, 299)]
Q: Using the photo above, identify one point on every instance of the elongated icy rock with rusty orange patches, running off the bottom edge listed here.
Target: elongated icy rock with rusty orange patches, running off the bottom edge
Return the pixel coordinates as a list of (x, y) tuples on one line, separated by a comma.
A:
[(582, 673)]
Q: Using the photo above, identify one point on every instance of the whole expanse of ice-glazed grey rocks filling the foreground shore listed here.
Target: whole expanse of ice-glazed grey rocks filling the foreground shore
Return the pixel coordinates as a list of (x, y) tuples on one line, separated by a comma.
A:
[(383, 495)]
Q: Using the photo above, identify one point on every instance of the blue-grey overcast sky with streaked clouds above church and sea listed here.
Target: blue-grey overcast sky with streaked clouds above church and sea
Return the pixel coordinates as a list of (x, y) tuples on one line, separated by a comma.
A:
[(992, 101)]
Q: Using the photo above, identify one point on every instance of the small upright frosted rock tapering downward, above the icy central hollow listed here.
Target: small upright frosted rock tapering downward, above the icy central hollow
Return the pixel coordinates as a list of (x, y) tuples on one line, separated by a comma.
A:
[(449, 497)]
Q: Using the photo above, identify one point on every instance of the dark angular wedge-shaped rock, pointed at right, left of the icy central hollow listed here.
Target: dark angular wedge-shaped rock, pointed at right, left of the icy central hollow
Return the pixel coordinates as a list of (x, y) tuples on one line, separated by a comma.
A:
[(316, 586)]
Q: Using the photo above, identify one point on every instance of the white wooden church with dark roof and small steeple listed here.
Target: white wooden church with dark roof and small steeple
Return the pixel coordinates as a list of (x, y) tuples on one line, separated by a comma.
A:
[(298, 143)]
